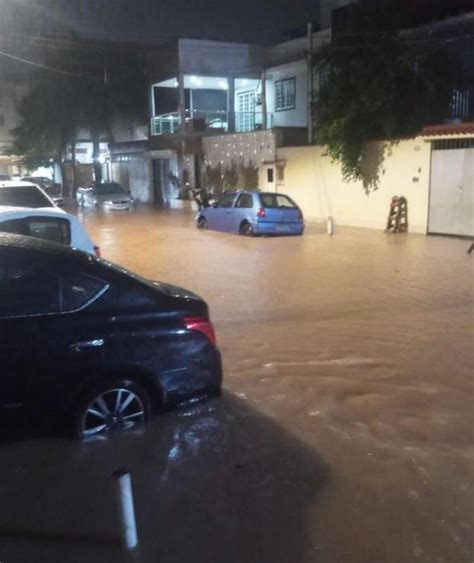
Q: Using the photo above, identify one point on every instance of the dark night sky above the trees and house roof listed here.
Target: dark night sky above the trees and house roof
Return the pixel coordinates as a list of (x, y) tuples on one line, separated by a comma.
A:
[(154, 20)]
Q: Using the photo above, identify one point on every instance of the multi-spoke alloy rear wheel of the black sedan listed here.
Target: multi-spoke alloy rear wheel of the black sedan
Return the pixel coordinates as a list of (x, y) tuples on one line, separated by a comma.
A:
[(115, 406)]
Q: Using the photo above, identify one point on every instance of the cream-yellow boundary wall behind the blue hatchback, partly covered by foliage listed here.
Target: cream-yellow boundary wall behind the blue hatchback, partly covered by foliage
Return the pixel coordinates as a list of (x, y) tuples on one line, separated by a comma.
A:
[(317, 186)]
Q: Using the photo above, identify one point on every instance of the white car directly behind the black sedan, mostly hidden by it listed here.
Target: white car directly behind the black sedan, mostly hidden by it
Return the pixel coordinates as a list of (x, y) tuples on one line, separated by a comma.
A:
[(47, 224)]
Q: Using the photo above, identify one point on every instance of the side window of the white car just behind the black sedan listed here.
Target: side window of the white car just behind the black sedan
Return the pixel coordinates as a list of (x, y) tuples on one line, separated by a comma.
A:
[(46, 228)]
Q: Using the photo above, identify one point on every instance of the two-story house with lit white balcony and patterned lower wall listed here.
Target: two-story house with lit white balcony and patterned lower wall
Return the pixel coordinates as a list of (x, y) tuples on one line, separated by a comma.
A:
[(220, 109)]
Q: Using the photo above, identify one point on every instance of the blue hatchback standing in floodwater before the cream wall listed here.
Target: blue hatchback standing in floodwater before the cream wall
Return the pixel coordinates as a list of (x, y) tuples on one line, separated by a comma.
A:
[(253, 213)]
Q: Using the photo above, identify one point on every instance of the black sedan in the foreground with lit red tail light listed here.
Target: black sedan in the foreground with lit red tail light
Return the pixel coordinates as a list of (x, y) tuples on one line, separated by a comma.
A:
[(94, 345)]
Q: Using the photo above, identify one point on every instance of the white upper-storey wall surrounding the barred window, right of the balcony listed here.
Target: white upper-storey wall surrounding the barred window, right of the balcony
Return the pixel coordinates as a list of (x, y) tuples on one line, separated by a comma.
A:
[(297, 117)]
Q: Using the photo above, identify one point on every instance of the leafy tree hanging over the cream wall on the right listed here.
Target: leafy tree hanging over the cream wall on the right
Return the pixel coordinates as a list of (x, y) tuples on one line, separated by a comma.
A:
[(376, 86)]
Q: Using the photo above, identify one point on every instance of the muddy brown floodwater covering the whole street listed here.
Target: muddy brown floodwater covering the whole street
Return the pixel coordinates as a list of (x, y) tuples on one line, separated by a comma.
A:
[(345, 433)]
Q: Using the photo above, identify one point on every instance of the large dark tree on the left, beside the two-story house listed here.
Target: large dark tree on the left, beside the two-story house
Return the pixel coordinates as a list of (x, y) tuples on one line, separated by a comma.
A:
[(83, 88)]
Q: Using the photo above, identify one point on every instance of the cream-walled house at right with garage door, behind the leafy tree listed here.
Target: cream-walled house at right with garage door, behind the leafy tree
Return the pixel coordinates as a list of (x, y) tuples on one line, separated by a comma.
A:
[(434, 170)]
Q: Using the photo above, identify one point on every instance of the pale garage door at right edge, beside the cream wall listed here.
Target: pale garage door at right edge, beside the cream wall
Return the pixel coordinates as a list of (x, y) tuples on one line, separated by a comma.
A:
[(452, 188)]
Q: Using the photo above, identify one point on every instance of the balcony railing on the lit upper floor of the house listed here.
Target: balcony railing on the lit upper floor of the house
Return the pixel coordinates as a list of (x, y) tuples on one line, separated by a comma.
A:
[(202, 121)]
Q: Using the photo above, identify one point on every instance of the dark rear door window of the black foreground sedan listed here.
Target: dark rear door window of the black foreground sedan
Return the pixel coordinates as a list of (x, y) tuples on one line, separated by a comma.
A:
[(28, 290)]
